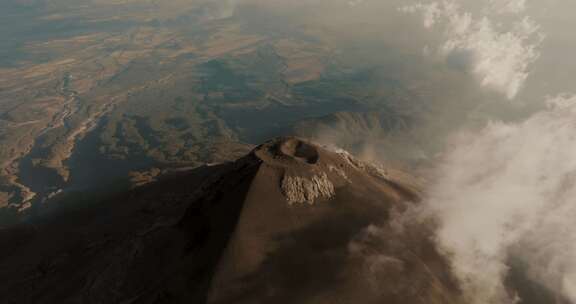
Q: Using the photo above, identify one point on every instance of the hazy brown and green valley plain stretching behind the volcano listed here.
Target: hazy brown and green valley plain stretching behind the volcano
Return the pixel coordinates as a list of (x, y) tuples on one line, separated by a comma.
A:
[(106, 98)]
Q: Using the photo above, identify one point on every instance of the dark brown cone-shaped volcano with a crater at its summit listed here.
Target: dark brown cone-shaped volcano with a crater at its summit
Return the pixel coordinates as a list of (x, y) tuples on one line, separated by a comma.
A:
[(291, 222)]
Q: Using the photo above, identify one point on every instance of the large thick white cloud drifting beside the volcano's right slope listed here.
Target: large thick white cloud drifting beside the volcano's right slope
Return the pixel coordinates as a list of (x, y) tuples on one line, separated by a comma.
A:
[(510, 191)]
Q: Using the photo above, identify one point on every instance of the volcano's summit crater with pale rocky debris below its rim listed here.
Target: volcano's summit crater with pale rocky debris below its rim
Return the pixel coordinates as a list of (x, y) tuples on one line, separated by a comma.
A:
[(312, 173)]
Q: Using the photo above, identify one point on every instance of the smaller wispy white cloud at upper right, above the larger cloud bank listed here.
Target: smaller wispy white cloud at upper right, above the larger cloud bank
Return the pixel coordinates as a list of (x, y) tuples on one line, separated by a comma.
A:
[(499, 55)]
